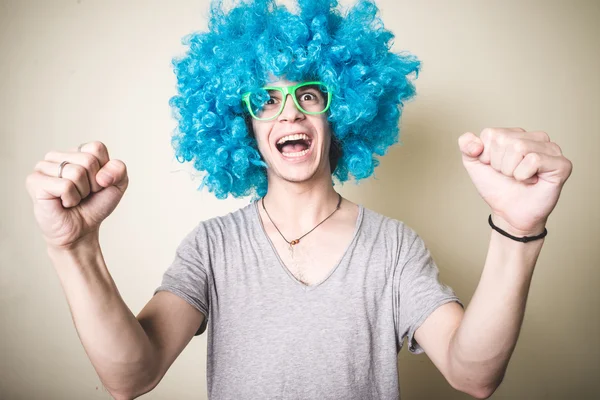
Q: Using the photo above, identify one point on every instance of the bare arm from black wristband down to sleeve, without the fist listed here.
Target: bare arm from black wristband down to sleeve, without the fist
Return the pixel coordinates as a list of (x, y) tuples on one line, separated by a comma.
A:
[(473, 350)]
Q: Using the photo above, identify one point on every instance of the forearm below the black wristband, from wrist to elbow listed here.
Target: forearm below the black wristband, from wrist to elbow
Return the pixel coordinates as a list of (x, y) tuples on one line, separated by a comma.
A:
[(483, 343)]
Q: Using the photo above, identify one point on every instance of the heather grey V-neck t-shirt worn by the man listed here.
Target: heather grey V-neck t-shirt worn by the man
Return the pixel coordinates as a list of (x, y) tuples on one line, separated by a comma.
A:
[(272, 337)]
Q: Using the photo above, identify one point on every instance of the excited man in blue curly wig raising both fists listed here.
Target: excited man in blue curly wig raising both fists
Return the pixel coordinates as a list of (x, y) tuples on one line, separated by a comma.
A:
[(303, 294)]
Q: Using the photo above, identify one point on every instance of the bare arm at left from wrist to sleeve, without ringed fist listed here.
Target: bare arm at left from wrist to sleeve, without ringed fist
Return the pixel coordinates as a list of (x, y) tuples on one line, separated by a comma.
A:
[(130, 356)]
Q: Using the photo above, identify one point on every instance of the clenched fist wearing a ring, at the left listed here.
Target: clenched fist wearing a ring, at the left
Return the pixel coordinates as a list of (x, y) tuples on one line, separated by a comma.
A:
[(71, 207)]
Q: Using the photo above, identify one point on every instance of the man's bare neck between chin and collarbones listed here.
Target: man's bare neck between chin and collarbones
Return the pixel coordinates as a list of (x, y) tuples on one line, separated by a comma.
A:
[(298, 207)]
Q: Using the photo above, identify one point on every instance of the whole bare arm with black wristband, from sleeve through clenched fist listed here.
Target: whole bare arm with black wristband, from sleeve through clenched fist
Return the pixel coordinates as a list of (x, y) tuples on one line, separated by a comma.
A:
[(520, 176)]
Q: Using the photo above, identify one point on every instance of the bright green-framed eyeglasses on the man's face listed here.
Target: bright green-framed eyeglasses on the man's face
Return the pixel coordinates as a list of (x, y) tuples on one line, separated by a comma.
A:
[(310, 98)]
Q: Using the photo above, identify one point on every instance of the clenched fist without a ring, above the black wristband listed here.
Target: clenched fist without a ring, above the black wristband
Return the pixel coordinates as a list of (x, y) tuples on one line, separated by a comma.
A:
[(519, 174)]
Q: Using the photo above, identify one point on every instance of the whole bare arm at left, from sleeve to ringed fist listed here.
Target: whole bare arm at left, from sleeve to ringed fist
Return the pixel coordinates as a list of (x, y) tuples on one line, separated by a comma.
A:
[(72, 193)]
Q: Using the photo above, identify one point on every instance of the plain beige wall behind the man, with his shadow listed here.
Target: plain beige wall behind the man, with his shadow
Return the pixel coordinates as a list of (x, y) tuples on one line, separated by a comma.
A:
[(75, 71)]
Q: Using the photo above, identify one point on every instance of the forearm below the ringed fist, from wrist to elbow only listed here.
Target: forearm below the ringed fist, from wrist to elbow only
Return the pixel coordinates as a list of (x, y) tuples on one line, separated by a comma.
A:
[(113, 339)]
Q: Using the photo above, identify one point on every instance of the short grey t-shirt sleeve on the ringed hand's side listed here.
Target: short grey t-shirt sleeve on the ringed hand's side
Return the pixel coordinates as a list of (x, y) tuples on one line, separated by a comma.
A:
[(187, 276)]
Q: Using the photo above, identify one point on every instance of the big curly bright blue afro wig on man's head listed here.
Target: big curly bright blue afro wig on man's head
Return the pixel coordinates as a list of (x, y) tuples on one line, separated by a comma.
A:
[(257, 39)]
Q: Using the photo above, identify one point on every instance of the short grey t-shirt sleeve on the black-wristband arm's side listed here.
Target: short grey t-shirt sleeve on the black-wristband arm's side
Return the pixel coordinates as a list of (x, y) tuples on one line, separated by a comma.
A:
[(418, 290)]
